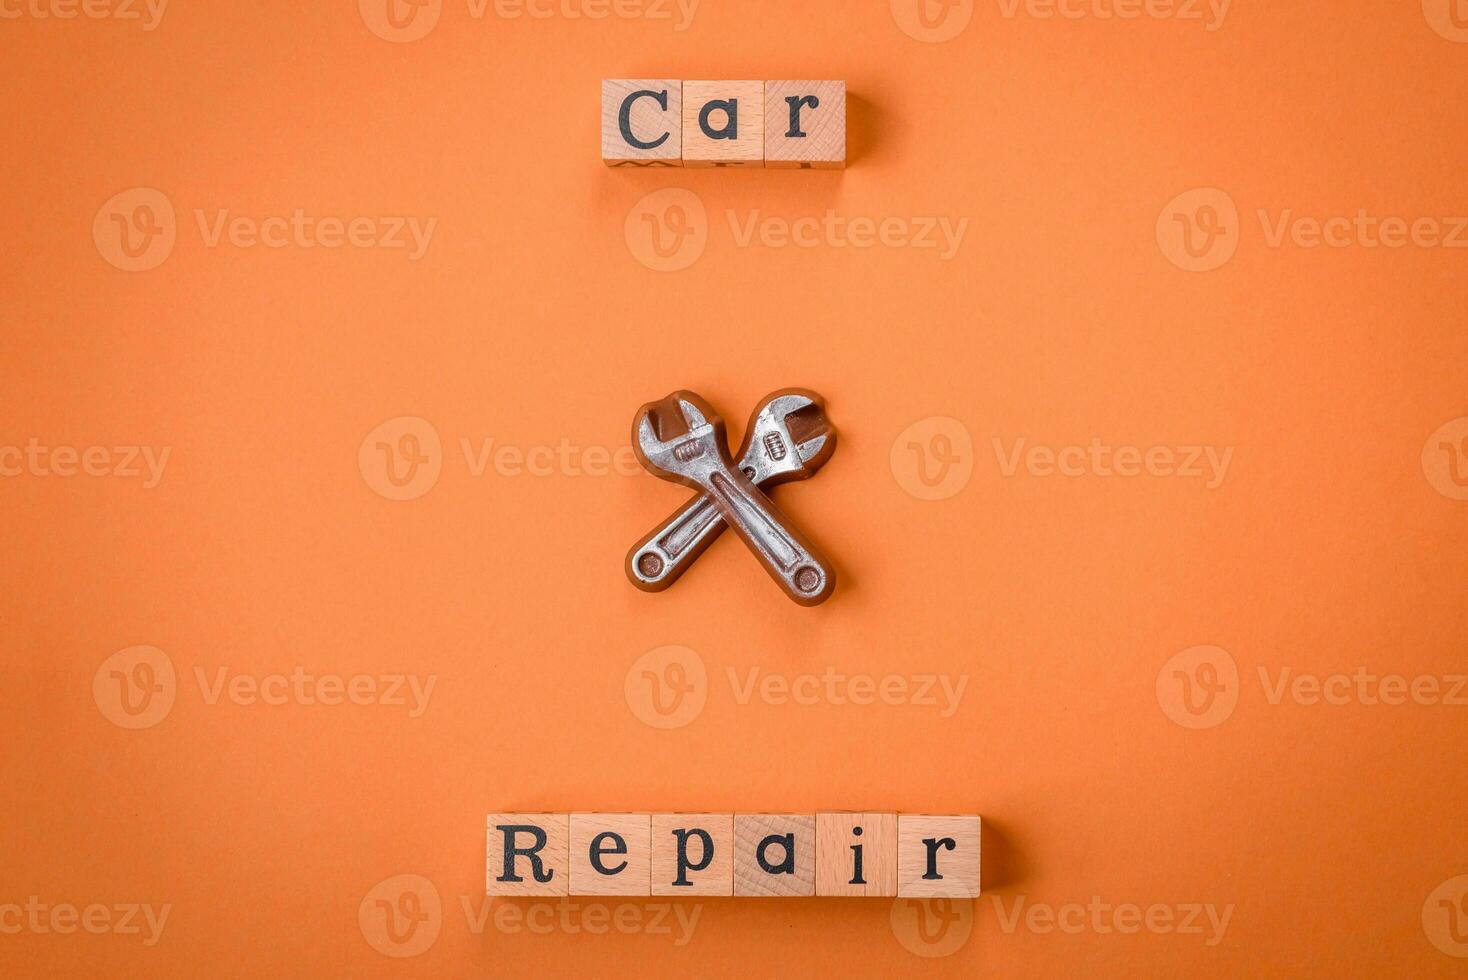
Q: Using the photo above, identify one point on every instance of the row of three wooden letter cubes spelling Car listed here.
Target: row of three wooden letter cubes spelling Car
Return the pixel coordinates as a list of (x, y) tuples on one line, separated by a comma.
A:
[(658, 122)]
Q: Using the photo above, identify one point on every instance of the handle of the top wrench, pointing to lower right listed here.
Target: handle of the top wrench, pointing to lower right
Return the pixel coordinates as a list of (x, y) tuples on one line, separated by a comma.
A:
[(786, 555)]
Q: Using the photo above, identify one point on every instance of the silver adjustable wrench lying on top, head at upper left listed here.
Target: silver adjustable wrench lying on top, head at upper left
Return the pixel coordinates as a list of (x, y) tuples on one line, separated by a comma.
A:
[(682, 439)]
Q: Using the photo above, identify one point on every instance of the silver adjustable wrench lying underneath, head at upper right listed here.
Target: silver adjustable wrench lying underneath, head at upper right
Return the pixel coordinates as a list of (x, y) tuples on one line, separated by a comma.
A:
[(788, 439)]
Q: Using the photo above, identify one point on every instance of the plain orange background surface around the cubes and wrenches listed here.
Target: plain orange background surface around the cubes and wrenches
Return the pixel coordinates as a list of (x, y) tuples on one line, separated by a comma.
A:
[(531, 321)]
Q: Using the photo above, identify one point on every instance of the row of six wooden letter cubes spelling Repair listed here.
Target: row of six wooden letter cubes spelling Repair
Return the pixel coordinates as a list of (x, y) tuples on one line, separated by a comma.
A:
[(752, 855)]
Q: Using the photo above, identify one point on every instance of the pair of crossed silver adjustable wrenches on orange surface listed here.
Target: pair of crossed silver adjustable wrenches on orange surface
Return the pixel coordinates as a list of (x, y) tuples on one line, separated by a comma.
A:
[(682, 439)]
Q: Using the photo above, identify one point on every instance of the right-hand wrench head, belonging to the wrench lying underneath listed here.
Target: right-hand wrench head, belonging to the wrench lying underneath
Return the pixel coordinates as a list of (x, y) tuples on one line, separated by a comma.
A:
[(789, 438)]
